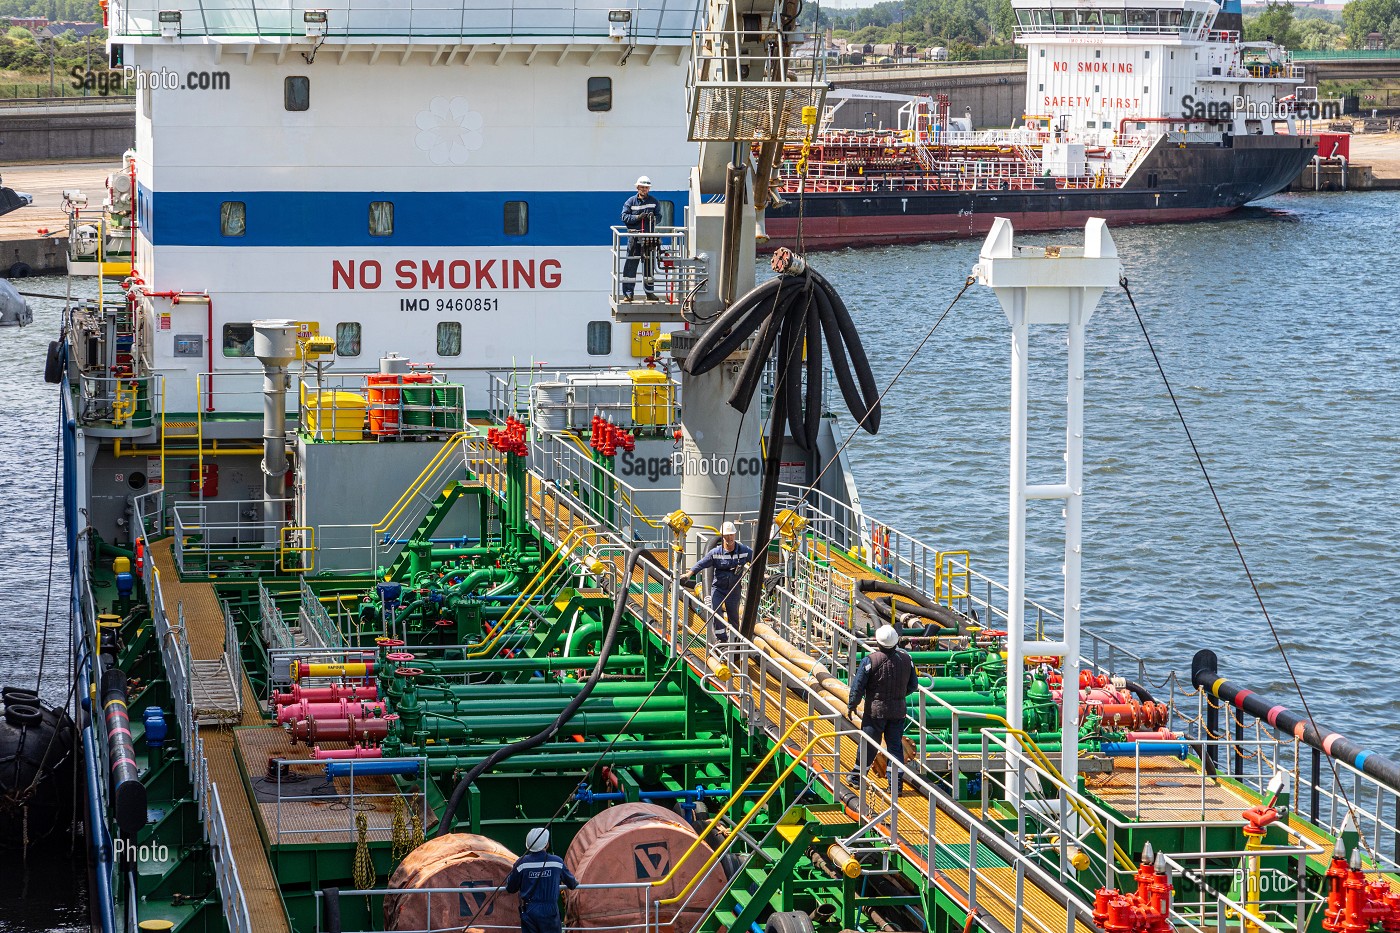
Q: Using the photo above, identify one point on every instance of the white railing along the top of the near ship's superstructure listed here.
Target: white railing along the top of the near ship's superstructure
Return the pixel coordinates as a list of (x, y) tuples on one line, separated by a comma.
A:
[(496, 23)]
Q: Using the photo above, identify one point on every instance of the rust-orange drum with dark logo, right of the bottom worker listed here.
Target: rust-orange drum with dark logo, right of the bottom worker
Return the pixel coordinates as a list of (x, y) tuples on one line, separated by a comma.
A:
[(638, 843)]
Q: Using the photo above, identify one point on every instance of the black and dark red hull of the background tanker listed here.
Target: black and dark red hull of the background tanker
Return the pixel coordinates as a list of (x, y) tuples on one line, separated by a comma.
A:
[(1174, 183)]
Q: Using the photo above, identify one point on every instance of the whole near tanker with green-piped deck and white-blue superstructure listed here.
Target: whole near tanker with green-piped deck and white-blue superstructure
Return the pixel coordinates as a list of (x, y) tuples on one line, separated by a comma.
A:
[(381, 502)]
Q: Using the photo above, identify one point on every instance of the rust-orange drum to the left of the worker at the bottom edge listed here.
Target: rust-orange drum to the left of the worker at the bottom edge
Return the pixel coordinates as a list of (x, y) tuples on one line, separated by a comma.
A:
[(456, 861)]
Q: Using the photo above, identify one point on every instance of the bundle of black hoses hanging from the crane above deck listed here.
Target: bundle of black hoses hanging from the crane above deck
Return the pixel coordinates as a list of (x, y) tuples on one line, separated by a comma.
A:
[(792, 312)]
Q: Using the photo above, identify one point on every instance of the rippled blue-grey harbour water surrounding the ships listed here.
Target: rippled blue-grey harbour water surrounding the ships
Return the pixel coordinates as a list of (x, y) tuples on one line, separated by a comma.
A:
[(1279, 330)]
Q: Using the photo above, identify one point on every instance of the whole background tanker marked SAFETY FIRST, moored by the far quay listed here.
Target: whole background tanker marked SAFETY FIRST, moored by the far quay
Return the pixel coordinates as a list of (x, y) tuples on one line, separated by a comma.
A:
[(1140, 114)]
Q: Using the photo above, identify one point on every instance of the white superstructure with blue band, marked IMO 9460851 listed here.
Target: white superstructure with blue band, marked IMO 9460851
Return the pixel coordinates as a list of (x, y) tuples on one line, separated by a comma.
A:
[(433, 180)]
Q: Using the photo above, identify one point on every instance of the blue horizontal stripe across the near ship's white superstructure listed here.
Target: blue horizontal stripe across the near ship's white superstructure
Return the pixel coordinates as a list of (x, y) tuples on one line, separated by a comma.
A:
[(421, 219)]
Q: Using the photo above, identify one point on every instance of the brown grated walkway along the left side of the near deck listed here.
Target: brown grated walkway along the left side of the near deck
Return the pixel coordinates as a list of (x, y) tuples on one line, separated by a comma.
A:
[(205, 633)]
